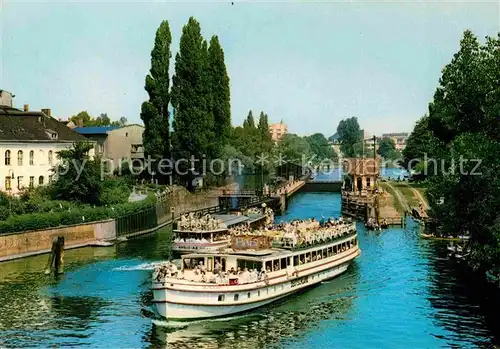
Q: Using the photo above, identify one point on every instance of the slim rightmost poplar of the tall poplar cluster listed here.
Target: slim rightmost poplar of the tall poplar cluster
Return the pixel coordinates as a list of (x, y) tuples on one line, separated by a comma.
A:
[(220, 93)]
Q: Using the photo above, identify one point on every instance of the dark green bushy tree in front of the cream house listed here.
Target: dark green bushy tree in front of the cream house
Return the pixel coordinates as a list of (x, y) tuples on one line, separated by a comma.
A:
[(78, 178)]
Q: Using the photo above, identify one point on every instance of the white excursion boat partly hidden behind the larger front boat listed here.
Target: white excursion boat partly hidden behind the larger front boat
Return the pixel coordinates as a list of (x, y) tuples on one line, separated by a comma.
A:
[(210, 233)]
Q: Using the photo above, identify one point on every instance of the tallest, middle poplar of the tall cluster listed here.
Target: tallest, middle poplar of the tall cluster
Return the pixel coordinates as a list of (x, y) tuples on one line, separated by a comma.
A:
[(191, 98)]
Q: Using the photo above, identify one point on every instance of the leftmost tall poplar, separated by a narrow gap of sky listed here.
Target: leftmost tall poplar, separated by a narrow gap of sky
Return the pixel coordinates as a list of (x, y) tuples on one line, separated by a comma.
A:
[(154, 112)]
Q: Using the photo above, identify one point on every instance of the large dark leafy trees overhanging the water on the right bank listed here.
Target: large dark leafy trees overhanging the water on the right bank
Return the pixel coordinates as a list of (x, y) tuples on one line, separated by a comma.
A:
[(457, 144)]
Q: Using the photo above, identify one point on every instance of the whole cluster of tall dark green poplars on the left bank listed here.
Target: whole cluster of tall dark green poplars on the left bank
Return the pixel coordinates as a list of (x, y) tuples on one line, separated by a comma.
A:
[(199, 96)]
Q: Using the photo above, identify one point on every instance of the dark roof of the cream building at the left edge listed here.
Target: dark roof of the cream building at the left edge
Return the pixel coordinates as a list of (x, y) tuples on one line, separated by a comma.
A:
[(18, 125)]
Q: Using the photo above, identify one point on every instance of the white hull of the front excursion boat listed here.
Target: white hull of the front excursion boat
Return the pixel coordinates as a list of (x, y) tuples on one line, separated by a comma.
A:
[(173, 304)]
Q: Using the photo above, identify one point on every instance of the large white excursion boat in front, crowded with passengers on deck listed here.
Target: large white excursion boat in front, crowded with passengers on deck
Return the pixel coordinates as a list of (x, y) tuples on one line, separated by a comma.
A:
[(252, 273)]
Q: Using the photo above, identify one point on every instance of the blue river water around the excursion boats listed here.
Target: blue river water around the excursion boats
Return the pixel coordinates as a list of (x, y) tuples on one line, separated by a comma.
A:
[(401, 292)]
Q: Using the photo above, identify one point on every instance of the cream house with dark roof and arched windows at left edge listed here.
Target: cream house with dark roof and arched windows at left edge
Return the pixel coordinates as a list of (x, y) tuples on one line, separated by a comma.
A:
[(29, 143)]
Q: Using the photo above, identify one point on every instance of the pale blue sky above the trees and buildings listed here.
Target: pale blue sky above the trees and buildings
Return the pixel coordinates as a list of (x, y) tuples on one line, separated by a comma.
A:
[(308, 63)]
